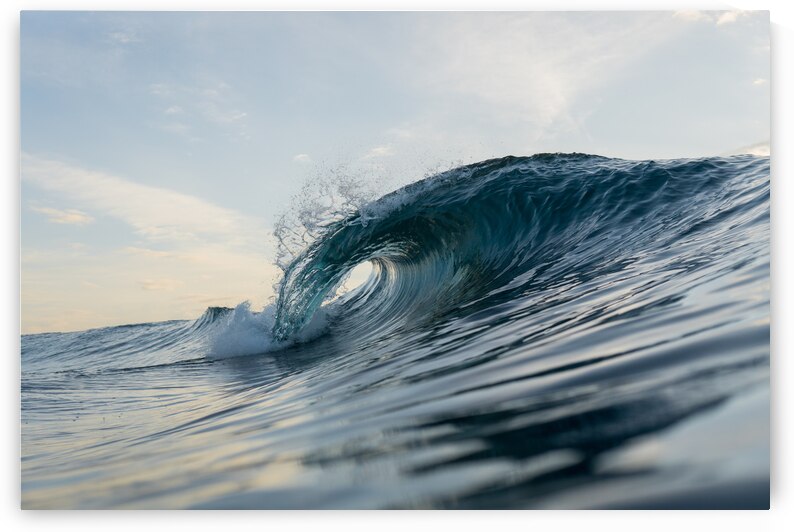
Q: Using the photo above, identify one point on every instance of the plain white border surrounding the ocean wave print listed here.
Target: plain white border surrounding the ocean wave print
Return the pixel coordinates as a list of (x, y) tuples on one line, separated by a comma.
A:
[(782, 271)]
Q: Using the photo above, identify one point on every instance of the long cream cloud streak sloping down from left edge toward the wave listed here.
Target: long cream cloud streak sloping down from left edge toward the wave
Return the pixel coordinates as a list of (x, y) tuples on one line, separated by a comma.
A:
[(158, 214)]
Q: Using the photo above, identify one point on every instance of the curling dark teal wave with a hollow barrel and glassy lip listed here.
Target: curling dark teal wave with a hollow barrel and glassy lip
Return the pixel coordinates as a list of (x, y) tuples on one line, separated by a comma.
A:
[(468, 238)]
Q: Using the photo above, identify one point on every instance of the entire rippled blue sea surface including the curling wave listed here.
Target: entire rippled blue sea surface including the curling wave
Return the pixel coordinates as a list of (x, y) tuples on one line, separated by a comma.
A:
[(555, 331)]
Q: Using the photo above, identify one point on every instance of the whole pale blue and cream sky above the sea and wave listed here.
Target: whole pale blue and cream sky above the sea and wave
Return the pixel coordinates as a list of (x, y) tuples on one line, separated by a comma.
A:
[(158, 149)]
